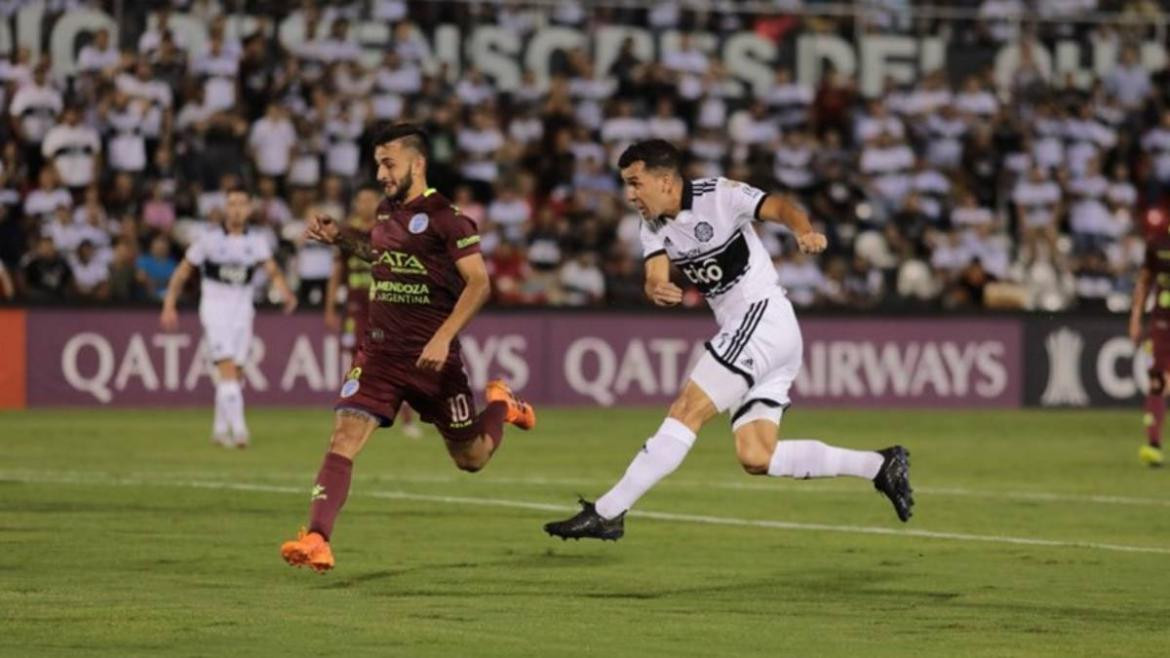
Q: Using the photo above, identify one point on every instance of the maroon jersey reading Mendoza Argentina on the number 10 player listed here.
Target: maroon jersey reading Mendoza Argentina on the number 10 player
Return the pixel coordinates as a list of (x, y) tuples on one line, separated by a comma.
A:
[(415, 280)]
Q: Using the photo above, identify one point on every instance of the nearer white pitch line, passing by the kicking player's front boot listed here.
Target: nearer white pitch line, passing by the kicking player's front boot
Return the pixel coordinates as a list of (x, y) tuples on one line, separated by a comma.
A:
[(99, 479)]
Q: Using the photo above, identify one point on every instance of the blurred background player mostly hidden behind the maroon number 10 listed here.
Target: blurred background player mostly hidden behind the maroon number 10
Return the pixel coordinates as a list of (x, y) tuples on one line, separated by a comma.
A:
[(354, 273)]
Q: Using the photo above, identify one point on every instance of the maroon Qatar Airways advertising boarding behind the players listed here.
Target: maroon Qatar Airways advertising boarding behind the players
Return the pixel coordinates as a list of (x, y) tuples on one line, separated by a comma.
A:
[(565, 359)]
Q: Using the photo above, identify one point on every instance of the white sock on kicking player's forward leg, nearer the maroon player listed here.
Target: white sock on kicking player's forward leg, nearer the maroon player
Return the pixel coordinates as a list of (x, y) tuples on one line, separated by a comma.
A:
[(662, 455)]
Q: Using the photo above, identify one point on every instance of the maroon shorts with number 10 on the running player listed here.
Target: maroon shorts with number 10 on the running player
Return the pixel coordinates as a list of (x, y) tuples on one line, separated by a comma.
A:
[(380, 383)]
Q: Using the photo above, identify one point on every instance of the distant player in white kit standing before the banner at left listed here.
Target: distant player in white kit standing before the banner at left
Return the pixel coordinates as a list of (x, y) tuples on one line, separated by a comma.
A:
[(228, 258)]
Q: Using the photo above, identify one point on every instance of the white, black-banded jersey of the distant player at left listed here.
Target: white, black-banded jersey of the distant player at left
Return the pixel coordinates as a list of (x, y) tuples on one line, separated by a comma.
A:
[(228, 264)]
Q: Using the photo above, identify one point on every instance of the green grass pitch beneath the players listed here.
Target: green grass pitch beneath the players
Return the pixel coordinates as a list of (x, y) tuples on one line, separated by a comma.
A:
[(127, 533)]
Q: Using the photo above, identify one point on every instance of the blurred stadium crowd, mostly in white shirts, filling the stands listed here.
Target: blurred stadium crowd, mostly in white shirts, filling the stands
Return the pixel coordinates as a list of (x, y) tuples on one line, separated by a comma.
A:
[(946, 194)]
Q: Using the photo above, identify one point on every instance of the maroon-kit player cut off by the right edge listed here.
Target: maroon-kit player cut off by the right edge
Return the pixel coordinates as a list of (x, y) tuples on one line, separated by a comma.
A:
[(1154, 277)]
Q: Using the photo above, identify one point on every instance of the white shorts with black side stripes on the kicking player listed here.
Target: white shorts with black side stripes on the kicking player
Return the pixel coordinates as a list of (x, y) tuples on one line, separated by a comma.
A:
[(753, 361)]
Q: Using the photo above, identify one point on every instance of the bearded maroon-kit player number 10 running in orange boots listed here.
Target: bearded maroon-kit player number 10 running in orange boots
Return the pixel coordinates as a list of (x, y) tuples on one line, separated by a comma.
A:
[(429, 280)]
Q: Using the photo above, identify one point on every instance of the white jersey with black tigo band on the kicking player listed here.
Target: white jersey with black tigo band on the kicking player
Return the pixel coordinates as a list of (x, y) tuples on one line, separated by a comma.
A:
[(712, 242)]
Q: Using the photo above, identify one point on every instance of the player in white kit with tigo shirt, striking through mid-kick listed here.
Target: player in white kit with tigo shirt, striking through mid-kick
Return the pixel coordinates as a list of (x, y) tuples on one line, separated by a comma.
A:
[(705, 229)]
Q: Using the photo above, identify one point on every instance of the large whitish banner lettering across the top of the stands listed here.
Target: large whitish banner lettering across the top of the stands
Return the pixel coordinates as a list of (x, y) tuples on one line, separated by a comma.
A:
[(504, 56)]
